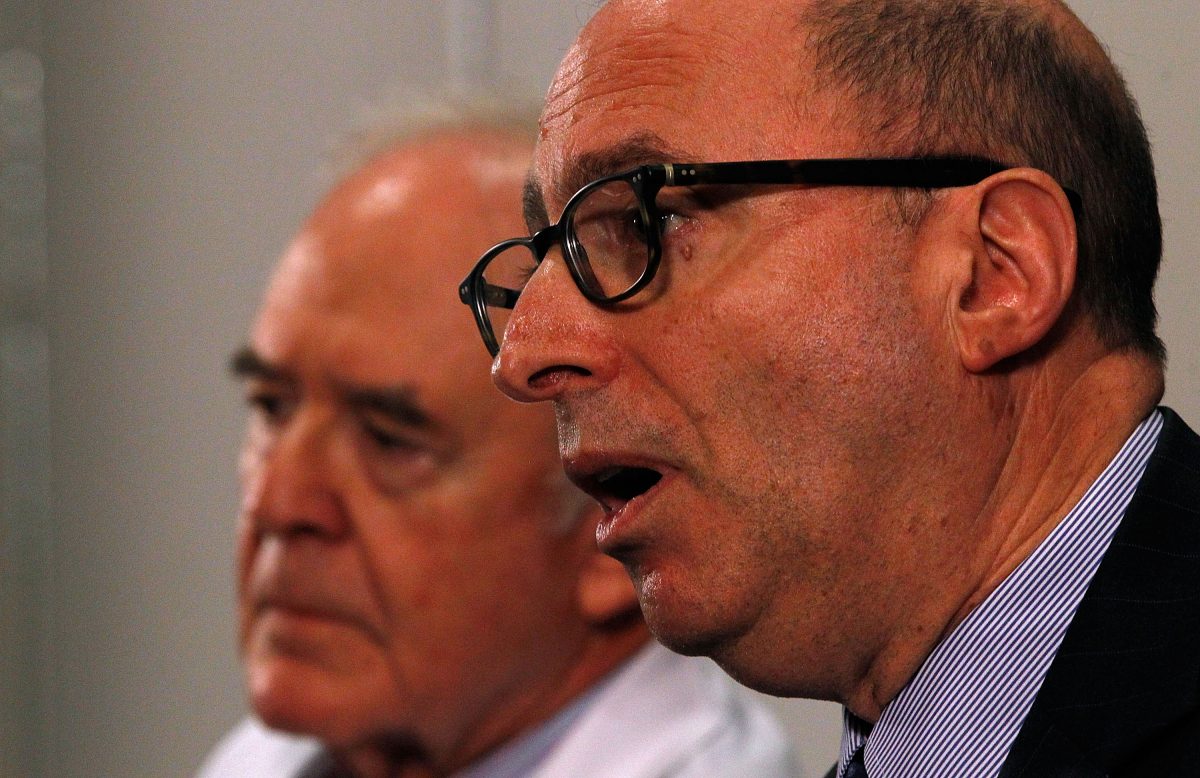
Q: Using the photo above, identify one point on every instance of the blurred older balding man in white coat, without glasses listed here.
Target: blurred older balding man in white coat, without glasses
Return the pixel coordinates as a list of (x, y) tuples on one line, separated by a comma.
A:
[(419, 587)]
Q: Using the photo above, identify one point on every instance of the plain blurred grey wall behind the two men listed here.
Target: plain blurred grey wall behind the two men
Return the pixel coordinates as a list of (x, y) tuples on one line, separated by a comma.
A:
[(157, 158)]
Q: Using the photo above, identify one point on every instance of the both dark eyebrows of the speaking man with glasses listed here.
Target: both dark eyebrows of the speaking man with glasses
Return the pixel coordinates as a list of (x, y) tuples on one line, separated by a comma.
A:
[(644, 148)]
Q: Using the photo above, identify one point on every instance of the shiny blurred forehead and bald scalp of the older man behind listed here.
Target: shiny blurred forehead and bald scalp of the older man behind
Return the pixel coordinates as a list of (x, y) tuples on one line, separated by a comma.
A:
[(367, 295)]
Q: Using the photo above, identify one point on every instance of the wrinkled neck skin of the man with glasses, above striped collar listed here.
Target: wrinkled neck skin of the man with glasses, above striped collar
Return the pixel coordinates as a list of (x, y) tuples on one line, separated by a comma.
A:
[(1059, 423)]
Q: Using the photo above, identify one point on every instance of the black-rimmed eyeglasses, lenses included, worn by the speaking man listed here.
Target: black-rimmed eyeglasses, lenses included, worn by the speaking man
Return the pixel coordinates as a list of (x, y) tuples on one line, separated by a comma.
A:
[(611, 231)]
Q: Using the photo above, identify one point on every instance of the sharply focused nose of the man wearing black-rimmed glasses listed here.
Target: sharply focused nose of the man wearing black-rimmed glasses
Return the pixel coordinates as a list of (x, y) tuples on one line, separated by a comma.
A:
[(556, 340)]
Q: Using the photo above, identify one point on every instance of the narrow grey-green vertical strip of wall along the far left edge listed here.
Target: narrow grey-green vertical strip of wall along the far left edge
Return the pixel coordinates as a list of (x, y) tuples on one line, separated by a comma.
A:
[(25, 435)]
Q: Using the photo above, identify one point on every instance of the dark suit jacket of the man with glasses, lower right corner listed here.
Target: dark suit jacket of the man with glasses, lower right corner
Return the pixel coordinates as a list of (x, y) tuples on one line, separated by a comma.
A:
[(1123, 697)]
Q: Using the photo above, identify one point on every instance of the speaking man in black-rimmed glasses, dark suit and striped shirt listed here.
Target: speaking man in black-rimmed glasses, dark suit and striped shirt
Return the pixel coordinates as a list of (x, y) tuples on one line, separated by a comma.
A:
[(845, 310)]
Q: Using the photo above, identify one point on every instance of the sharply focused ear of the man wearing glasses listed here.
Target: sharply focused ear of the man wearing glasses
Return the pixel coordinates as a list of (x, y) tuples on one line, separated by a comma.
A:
[(1022, 255)]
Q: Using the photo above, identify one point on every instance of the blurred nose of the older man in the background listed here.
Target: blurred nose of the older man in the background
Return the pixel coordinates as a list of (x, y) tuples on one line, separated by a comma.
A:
[(290, 481)]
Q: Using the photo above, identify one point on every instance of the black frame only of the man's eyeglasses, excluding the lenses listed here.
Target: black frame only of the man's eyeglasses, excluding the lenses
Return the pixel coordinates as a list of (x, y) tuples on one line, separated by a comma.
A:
[(647, 181)]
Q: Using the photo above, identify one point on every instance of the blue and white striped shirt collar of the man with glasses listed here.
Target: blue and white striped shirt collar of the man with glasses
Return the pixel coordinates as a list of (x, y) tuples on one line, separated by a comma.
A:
[(961, 714)]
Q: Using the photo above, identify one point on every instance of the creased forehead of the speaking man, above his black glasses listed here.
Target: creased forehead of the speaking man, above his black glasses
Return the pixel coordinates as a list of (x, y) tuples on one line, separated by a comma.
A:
[(711, 81)]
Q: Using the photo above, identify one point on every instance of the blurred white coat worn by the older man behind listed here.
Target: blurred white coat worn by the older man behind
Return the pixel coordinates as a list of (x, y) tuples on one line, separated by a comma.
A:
[(659, 715)]
